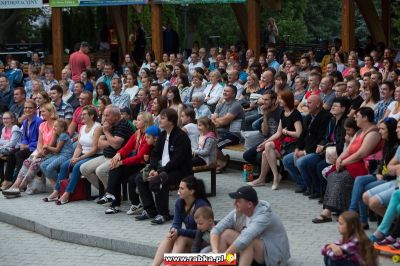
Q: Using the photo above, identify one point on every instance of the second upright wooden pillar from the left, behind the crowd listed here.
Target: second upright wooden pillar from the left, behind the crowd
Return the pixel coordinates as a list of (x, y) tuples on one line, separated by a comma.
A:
[(156, 32)]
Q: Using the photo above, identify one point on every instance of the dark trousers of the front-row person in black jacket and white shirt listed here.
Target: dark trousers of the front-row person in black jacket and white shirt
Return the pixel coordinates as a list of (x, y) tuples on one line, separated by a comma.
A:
[(160, 205)]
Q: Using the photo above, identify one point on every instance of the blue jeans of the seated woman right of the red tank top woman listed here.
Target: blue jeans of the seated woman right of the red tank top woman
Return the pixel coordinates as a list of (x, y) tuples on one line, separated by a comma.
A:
[(362, 184)]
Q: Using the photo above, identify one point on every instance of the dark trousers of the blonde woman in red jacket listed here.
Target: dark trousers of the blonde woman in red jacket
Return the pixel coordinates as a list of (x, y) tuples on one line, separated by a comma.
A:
[(120, 174)]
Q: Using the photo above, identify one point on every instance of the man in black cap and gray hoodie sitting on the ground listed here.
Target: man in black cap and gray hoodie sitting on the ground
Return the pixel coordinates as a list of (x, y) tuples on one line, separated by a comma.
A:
[(252, 230)]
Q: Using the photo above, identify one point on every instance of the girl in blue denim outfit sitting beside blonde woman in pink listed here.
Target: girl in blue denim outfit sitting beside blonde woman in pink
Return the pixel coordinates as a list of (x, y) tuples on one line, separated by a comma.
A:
[(57, 155)]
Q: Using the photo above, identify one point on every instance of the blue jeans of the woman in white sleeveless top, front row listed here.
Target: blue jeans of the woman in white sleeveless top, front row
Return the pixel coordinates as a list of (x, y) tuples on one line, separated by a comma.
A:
[(73, 177)]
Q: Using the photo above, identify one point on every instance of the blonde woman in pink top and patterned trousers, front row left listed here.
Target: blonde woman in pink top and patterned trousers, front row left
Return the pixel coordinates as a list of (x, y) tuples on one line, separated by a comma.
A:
[(31, 165)]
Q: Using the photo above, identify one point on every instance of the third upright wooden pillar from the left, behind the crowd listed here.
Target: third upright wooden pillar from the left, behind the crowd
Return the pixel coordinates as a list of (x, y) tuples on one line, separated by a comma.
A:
[(253, 25)]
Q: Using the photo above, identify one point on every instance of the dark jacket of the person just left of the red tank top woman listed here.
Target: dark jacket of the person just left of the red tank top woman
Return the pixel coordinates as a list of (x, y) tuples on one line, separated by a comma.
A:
[(339, 134)]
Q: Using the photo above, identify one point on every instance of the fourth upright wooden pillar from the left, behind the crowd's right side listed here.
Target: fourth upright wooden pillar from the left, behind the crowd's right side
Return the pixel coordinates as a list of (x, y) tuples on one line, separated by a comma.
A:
[(348, 27)]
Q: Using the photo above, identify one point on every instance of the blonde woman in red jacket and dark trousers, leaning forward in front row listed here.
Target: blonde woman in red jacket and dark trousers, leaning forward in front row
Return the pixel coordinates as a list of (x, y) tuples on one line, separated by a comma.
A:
[(128, 161)]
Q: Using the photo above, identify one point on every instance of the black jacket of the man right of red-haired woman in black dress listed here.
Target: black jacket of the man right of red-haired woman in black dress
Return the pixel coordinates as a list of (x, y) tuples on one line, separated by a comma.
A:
[(313, 131)]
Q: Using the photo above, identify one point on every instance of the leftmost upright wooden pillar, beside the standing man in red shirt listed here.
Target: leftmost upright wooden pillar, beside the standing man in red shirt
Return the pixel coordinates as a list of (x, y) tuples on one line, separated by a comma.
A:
[(57, 39)]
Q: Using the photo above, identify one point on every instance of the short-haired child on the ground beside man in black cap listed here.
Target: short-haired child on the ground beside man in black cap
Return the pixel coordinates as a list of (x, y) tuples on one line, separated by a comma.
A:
[(204, 218)]
